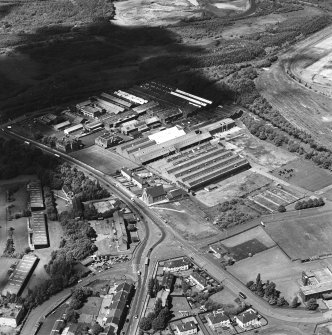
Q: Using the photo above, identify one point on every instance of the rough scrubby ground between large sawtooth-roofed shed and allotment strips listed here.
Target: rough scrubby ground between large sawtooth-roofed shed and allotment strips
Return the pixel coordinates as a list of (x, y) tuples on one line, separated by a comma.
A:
[(236, 186)]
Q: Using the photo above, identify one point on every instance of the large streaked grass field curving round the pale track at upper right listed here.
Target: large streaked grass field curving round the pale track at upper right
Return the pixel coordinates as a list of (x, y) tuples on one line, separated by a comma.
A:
[(301, 106)]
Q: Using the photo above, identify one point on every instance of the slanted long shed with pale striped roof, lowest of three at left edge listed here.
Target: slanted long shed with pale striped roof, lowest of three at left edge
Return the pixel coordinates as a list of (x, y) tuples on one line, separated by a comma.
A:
[(20, 276)]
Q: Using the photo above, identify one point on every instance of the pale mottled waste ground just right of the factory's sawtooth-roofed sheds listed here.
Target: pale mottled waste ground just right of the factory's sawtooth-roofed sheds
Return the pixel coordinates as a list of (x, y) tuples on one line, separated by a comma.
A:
[(260, 152)]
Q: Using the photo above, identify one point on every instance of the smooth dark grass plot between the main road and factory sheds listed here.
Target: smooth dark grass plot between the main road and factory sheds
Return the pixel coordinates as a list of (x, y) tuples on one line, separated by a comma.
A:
[(103, 160)]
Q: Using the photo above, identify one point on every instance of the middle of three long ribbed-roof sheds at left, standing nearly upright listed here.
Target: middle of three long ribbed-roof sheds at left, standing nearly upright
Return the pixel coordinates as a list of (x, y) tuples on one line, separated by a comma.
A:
[(38, 237)]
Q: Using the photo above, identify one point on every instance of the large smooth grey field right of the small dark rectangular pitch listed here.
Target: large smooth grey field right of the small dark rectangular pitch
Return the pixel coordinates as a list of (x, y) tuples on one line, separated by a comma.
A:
[(303, 237)]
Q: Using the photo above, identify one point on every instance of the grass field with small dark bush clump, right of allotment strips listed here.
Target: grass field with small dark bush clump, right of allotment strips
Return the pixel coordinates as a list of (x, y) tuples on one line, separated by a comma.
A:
[(305, 175)]
